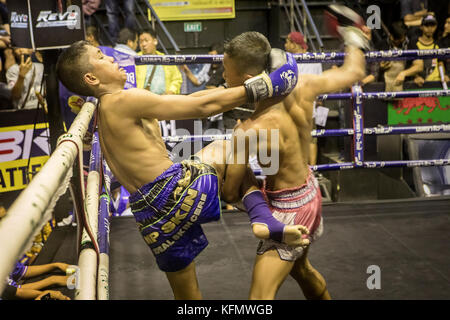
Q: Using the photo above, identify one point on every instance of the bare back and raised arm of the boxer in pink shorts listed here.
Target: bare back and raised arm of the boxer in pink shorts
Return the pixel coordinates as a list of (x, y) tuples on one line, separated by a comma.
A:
[(293, 118)]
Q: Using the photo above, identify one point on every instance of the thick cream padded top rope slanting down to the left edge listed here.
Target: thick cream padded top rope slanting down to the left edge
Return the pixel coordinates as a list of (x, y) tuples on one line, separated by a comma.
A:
[(27, 214)]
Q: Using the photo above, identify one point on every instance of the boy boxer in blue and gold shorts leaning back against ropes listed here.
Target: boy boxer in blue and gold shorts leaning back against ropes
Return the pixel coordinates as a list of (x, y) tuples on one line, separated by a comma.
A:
[(169, 200)]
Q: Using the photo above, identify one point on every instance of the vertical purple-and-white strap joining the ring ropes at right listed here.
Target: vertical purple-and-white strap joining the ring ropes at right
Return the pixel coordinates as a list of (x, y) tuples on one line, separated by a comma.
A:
[(358, 126)]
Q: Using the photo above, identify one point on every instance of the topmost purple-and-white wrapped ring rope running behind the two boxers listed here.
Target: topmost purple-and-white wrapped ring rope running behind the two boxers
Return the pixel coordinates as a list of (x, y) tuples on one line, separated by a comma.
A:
[(308, 57)]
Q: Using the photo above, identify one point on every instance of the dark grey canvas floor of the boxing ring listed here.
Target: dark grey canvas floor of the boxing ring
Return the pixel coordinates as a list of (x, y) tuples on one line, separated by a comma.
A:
[(408, 240)]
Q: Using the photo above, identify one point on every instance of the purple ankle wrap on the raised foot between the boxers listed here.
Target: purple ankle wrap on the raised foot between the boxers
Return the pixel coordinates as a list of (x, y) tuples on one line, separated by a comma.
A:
[(259, 212)]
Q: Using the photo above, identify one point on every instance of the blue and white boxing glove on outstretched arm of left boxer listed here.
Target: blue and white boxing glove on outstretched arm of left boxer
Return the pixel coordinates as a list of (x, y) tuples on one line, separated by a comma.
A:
[(281, 81)]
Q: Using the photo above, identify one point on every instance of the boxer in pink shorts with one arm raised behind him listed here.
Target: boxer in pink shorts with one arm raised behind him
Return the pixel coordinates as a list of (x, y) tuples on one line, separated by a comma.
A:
[(292, 192)]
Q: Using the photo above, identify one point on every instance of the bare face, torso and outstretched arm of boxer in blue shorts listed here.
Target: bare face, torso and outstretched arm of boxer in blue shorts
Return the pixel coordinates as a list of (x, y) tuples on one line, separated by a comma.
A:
[(129, 132)]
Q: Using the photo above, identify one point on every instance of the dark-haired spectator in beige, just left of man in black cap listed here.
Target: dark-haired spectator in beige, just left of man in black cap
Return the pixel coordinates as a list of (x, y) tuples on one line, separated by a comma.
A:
[(398, 40)]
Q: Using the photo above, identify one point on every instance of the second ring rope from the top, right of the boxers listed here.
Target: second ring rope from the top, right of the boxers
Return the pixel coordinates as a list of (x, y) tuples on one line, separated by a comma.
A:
[(387, 95)]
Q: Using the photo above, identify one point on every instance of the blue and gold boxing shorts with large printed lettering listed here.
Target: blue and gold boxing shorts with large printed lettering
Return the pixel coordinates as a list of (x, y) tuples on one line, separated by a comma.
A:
[(170, 209)]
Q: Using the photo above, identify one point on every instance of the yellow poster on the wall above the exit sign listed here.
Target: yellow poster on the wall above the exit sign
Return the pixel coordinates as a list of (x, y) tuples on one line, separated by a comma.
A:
[(193, 9)]
